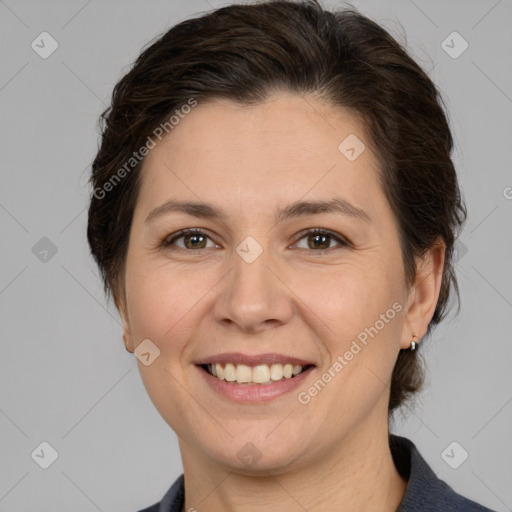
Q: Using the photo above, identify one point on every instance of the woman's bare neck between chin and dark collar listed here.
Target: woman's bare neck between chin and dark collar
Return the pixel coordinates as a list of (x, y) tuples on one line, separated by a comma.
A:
[(358, 475)]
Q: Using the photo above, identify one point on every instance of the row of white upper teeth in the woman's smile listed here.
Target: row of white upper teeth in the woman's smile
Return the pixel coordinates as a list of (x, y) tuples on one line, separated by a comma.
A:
[(260, 374)]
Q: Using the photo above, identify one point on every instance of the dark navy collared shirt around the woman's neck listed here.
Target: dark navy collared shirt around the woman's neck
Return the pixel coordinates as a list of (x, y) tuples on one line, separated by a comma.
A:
[(425, 492)]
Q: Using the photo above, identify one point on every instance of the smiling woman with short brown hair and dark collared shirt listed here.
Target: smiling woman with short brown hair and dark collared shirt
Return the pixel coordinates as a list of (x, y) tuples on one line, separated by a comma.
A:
[(274, 212)]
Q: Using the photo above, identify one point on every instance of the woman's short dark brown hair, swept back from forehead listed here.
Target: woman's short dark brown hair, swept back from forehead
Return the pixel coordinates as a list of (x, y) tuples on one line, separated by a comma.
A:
[(245, 52)]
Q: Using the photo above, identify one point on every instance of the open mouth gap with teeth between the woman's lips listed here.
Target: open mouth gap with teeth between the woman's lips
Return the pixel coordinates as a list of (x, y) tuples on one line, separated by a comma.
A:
[(255, 375)]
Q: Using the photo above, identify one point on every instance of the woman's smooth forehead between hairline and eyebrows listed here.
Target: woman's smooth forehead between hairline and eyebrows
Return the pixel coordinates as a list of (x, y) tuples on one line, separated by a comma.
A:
[(280, 150)]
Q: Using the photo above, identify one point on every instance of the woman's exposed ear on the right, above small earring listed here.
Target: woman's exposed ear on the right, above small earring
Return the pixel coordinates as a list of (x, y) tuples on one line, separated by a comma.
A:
[(424, 294)]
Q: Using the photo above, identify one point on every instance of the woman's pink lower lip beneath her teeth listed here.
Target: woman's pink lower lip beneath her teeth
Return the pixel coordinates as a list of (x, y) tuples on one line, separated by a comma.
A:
[(254, 393)]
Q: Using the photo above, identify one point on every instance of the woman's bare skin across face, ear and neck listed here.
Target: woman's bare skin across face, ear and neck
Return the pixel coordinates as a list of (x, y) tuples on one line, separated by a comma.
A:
[(332, 453)]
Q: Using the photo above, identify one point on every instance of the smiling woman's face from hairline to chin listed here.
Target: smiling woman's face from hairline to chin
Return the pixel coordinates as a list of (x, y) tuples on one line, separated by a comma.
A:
[(254, 287)]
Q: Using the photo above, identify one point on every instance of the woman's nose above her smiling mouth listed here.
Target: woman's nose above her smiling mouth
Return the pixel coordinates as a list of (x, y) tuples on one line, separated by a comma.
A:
[(253, 295)]
